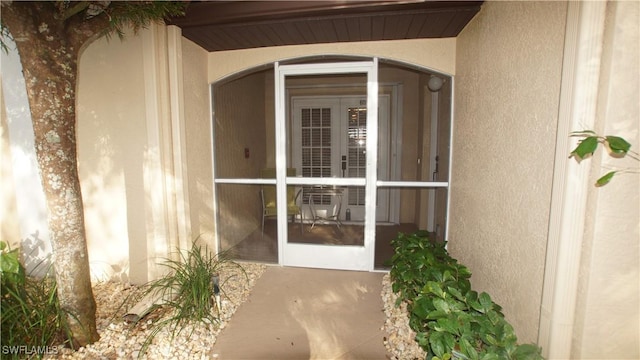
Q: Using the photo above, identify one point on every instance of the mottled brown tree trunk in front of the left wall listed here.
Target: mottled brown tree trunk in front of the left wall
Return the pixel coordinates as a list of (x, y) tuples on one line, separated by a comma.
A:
[(49, 60)]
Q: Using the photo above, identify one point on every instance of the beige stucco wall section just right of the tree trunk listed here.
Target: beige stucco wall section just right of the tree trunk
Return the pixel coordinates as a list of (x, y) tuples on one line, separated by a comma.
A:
[(111, 145)]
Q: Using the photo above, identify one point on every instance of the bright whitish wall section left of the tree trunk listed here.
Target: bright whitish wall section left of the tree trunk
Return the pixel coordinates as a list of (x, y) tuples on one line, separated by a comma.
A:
[(24, 211)]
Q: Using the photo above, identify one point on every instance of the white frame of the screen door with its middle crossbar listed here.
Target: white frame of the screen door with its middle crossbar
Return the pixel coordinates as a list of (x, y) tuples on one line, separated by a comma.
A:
[(321, 256)]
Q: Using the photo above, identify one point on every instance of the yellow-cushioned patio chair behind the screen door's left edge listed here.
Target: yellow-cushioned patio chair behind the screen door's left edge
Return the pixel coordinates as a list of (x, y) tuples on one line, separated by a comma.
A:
[(268, 198)]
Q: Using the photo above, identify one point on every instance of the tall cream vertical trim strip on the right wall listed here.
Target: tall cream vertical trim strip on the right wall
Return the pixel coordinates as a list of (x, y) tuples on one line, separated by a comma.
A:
[(577, 111)]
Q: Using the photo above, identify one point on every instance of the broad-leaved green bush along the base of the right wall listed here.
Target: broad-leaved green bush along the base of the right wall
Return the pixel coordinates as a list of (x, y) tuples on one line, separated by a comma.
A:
[(451, 321)]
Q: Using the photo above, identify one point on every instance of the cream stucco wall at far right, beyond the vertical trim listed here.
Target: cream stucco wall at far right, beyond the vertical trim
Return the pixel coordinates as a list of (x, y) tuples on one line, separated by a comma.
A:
[(608, 307)]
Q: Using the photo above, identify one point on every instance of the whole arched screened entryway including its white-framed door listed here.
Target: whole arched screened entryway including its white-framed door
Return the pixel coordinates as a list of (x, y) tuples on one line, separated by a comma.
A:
[(318, 152)]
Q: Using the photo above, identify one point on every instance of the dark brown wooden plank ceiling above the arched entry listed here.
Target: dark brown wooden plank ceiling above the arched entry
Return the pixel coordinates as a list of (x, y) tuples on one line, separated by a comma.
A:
[(230, 25)]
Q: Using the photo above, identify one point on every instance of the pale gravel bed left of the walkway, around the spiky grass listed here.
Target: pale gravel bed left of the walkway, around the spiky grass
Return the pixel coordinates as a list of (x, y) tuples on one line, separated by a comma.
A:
[(121, 340)]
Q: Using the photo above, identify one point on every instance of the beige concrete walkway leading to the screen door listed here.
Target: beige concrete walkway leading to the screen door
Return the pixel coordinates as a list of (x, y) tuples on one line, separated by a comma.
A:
[(299, 313)]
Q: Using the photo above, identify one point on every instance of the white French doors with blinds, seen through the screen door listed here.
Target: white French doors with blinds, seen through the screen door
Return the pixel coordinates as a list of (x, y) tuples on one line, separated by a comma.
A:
[(329, 140)]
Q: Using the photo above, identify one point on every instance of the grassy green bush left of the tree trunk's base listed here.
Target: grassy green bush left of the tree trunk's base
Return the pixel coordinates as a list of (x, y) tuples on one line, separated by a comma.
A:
[(32, 320)]
